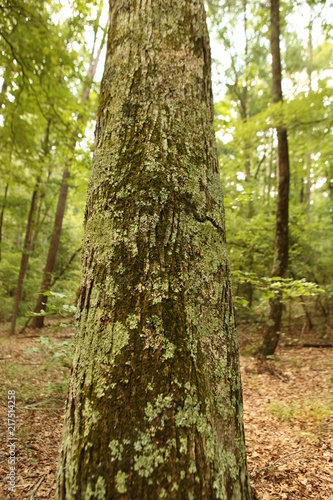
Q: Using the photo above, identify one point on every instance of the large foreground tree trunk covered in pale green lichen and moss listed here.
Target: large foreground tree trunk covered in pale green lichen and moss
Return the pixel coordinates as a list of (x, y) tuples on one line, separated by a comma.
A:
[(155, 404)]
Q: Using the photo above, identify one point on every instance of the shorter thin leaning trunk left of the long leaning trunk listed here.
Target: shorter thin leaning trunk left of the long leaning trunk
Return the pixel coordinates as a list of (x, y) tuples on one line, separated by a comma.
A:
[(27, 247)]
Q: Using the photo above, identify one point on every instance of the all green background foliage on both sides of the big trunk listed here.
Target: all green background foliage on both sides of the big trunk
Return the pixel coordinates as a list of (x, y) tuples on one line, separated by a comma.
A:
[(40, 102)]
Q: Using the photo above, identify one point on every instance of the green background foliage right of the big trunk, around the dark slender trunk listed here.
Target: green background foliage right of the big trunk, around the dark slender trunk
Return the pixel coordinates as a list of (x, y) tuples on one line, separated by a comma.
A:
[(306, 118)]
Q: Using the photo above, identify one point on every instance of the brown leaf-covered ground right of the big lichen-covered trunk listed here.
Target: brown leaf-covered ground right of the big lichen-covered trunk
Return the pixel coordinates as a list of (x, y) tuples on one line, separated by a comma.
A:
[(288, 410)]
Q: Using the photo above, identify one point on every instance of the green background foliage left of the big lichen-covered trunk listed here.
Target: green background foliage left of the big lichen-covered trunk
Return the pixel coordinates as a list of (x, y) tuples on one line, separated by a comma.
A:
[(44, 59)]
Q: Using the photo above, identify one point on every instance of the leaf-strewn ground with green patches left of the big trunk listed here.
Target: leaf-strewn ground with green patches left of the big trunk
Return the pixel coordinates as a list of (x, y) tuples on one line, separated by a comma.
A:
[(38, 373)]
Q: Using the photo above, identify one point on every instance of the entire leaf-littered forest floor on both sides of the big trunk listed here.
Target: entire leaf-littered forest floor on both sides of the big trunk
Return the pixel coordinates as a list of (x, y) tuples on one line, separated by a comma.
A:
[(288, 413)]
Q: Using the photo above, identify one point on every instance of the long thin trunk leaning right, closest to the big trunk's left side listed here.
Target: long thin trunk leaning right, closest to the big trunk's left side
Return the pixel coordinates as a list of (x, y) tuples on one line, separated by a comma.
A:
[(38, 321)]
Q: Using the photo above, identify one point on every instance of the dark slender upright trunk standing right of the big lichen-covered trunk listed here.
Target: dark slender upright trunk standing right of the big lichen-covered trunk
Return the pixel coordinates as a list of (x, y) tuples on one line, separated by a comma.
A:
[(280, 265)]
